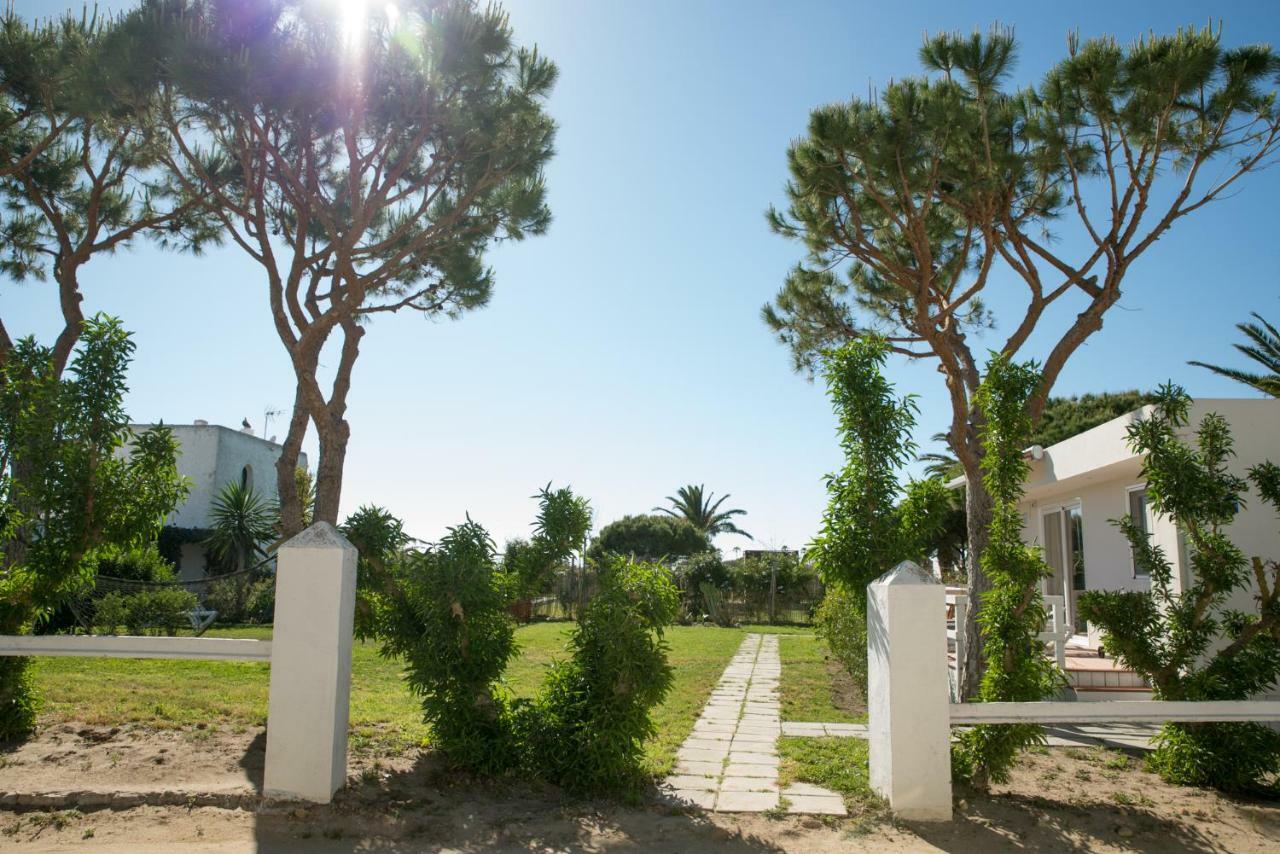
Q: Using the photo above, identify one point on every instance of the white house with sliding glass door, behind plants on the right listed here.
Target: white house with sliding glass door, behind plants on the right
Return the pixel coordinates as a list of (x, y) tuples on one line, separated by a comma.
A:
[(1076, 487)]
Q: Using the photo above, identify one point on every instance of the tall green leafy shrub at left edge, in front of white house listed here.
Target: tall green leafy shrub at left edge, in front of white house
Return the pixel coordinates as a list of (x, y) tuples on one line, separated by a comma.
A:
[(72, 481)]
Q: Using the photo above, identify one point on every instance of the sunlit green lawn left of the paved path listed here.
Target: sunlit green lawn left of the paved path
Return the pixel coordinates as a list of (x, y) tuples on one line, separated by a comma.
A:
[(385, 716)]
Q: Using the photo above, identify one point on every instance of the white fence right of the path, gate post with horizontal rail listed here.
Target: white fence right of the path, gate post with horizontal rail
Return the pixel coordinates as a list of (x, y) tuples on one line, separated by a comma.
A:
[(911, 707)]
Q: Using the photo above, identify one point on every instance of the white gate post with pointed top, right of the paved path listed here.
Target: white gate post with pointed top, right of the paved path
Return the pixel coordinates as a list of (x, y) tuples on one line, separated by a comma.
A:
[(908, 693)]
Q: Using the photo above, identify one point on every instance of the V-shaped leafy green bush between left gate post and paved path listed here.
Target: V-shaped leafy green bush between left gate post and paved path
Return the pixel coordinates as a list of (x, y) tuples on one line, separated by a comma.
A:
[(450, 622)]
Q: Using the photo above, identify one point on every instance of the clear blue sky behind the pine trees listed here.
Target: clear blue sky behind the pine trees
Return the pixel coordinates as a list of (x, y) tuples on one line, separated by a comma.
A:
[(624, 353)]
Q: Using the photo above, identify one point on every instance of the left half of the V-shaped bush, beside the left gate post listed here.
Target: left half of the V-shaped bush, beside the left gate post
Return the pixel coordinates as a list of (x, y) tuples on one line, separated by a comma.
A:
[(450, 625)]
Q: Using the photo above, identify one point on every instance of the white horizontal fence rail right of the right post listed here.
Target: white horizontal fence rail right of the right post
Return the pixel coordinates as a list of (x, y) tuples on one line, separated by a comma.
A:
[(1117, 713)]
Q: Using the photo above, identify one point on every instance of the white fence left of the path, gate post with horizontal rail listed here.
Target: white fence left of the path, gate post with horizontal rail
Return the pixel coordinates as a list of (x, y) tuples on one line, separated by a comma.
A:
[(310, 655)]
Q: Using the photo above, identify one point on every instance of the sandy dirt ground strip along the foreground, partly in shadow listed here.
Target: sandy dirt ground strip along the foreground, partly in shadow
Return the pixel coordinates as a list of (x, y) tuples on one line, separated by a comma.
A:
[(1060, 800)]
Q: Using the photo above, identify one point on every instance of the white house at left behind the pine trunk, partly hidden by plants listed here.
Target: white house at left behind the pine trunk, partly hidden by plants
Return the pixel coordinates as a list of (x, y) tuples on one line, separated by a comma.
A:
[(211, 458)]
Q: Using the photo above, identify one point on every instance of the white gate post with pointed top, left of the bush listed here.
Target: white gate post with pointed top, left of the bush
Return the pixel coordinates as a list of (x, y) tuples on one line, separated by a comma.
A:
[(308, 710)]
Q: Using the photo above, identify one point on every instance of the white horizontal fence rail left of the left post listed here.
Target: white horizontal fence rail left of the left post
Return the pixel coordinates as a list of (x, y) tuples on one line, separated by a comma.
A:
[(138, 647)]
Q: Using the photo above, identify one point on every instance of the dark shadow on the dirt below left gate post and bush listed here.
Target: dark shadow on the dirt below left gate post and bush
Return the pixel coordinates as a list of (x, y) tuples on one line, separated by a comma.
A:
[(429, 807)]
